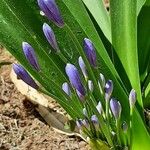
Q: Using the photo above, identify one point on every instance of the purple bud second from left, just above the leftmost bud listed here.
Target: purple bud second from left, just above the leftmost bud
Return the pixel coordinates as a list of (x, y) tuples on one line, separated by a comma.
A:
[(30, 55)]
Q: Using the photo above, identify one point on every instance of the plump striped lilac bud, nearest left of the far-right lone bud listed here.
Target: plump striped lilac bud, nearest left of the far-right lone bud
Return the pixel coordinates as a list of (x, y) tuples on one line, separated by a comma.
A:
[(115, 108)]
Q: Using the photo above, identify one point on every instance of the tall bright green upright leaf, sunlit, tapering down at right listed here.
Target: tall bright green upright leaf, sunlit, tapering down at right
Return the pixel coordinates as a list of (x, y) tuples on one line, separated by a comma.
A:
[(123, 24)]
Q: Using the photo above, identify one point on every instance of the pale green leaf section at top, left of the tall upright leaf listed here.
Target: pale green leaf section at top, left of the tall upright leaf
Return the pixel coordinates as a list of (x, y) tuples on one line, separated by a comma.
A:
[(100, 14)]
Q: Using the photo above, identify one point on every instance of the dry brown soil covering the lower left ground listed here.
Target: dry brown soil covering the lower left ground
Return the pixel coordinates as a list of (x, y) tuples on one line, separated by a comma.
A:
[(21, 127)]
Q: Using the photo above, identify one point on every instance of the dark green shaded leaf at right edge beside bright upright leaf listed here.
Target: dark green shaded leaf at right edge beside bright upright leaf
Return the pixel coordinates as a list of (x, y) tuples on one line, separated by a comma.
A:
[(144, 41)]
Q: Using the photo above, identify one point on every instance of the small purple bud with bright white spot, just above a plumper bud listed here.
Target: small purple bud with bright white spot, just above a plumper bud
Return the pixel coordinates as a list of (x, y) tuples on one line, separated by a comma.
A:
[(108, 89)]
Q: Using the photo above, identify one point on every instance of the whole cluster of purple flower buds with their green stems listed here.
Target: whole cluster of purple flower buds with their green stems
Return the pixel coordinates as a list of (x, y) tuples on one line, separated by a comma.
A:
[(101, 117)]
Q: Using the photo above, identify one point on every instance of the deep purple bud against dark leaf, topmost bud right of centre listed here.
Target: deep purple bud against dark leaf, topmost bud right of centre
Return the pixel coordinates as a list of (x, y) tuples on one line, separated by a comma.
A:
[(90, 52)]
